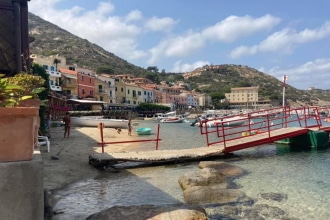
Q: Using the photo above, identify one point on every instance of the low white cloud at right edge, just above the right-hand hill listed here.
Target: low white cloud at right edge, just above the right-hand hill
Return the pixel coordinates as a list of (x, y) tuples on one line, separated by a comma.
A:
[(313, 73)]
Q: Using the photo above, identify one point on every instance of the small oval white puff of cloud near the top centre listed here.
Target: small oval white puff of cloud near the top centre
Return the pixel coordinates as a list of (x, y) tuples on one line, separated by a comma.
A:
[(160, 24)]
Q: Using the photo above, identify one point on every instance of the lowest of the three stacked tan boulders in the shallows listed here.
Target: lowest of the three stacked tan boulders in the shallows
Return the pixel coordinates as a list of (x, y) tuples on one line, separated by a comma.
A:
[(202, 195)]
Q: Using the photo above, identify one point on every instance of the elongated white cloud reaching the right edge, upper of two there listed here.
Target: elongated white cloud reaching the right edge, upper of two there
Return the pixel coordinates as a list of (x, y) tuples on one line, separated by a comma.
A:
[(284, 41)]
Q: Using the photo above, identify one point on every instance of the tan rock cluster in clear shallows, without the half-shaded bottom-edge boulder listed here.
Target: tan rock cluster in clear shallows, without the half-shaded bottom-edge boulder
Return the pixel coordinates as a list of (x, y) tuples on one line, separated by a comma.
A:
[(212, 188)]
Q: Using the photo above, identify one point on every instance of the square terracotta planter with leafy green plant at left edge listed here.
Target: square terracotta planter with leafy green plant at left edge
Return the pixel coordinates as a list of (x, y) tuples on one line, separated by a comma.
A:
[(19, 121)]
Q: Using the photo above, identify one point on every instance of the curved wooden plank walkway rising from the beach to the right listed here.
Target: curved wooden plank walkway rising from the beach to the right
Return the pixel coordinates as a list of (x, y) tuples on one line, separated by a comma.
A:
[(156, 156)]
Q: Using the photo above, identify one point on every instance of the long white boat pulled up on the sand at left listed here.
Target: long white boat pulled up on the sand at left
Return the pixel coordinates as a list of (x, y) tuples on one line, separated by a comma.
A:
[(94, 122)]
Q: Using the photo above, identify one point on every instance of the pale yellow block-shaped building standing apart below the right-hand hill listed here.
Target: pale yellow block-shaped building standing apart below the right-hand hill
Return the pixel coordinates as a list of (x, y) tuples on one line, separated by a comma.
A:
[(243, 97)]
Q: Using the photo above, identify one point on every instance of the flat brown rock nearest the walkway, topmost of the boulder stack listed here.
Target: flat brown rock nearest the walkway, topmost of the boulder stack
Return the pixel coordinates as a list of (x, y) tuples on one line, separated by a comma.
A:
[(223, 167)]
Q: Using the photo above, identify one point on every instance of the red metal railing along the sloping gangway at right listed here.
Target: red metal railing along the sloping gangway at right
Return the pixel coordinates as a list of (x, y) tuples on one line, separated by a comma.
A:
[(234, 127)]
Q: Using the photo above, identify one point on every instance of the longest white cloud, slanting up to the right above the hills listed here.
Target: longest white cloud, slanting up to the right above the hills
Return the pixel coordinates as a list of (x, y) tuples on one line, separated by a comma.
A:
[(230, 29)]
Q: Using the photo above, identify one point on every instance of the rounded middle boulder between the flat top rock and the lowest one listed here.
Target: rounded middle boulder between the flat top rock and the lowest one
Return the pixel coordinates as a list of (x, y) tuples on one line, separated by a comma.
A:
[(202, 177)]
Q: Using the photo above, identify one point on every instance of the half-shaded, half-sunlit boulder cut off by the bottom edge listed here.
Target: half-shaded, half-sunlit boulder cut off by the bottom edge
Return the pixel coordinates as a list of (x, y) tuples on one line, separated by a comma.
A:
[(151, 212)]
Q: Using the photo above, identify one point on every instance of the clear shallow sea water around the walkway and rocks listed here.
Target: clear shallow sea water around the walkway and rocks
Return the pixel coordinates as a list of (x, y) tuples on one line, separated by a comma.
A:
[(303, 176)]
